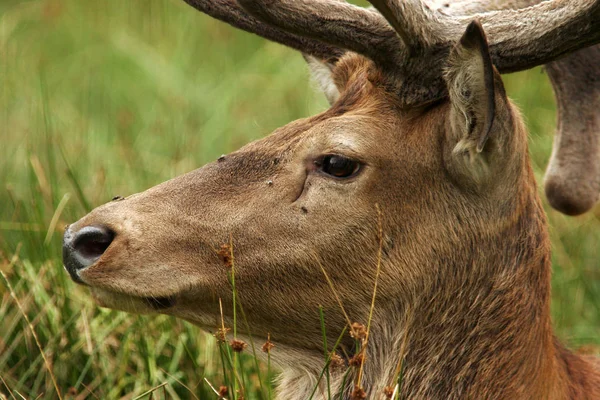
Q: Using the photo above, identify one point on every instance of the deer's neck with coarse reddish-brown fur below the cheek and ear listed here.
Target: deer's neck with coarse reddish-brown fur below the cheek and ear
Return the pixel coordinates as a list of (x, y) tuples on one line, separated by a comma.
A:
[(484, 329)]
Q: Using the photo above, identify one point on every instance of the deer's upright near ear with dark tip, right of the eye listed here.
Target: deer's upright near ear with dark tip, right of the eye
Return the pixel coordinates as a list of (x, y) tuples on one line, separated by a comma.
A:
[(477, 96)]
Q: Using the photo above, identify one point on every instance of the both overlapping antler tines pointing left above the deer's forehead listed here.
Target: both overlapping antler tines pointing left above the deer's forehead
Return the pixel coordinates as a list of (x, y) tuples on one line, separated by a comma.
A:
[(322, 29)]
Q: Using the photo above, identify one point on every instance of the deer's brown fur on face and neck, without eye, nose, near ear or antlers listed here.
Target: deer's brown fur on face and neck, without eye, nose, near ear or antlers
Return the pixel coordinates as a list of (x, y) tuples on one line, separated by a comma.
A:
[(465, 280)]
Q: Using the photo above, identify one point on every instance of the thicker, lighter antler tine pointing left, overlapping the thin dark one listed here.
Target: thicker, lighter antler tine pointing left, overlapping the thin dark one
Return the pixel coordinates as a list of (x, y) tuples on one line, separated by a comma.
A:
[(338, 23)]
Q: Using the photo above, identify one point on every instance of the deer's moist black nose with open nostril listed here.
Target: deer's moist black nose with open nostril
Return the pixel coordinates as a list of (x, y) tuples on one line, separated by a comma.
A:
[(81, 249)]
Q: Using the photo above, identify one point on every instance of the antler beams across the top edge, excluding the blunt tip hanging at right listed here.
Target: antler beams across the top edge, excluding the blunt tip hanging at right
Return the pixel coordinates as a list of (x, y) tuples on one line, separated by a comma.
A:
[(520, 39)]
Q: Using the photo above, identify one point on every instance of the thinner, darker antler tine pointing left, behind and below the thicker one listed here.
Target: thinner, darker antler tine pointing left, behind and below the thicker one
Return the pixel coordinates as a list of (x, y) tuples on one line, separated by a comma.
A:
[(231, 12)]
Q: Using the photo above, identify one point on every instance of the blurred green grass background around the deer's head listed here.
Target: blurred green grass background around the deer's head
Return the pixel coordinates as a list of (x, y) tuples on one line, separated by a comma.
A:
[(109, 98)]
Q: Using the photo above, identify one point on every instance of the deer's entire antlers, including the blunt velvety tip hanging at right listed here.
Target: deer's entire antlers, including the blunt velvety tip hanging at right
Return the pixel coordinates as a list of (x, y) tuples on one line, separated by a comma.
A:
[(414, 48)]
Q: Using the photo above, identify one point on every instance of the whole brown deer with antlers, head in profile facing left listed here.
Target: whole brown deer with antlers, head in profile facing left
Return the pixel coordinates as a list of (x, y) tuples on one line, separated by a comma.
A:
[(421, 129)]
